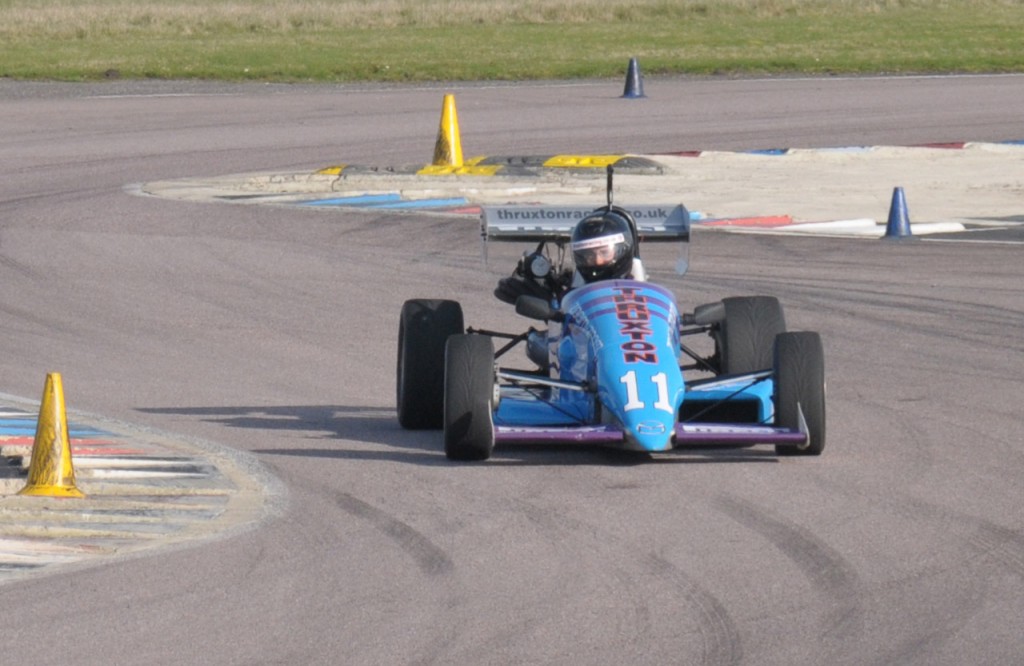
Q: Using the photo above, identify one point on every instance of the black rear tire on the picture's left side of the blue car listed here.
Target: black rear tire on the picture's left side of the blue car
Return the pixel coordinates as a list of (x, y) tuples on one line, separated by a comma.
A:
[(423, 329)]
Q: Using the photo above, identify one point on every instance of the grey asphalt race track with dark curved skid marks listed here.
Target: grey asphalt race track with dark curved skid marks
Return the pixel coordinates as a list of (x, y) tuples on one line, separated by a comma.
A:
[(271, 331)]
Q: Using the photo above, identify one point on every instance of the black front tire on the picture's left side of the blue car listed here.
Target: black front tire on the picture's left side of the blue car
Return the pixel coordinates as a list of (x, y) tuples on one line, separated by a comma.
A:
[(470, 398)]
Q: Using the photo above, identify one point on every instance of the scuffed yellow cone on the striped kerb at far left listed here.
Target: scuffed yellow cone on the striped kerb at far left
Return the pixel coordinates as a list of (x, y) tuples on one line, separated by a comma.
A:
[(51, 472)]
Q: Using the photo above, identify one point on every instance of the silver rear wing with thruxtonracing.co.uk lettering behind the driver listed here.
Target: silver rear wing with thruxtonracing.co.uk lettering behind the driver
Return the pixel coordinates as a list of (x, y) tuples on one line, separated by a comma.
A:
[(556, 225)]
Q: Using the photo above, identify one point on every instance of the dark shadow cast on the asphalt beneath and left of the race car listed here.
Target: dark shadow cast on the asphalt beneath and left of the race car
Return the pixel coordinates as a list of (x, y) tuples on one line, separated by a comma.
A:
[(377, 426)]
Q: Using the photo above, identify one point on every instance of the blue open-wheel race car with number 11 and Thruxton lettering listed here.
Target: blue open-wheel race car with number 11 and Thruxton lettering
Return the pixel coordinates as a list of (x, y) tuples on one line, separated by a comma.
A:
[(612, 366)]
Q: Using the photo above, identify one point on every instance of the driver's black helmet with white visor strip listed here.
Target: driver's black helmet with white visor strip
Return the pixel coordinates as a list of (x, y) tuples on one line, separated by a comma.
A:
[(604, 246)]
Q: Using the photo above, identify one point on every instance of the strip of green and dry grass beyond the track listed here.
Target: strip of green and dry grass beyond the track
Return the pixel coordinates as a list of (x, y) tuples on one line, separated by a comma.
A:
[(453, 40)]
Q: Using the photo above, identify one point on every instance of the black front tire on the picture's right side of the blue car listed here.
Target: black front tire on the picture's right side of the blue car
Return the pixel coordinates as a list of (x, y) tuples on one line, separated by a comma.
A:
[(800, 388)]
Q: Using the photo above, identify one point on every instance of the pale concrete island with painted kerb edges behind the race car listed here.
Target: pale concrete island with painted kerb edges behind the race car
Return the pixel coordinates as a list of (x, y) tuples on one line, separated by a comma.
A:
[(842, 192)]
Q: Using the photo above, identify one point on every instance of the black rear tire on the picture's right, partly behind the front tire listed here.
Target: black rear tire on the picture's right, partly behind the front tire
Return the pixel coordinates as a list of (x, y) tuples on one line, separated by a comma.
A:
[(747, 337)]
